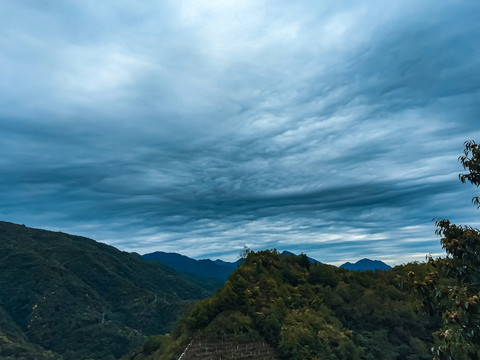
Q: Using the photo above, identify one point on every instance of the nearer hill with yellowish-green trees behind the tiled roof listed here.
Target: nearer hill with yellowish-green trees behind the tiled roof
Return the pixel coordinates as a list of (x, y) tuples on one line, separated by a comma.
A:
[(308, 311)]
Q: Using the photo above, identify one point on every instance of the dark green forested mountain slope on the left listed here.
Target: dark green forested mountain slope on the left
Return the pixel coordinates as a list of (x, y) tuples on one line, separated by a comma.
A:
[(82, 299)]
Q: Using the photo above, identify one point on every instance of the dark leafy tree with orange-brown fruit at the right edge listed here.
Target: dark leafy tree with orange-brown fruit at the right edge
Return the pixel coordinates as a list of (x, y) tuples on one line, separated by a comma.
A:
[(453, 287)]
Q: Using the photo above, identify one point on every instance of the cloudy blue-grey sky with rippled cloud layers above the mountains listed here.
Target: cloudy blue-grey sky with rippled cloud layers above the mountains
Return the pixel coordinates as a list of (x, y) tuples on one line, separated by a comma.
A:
[(331, 128)]
